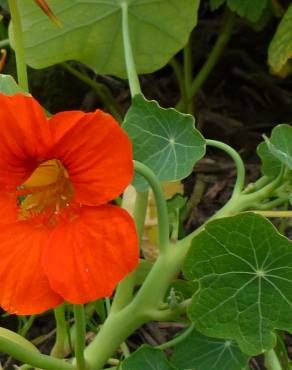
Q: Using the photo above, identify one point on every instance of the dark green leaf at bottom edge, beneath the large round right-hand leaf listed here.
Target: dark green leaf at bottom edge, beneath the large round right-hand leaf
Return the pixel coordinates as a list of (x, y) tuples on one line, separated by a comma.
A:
[(199, 352)]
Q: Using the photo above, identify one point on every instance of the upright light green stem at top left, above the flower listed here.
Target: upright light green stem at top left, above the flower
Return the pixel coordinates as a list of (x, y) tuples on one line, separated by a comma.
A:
[(18, 45)]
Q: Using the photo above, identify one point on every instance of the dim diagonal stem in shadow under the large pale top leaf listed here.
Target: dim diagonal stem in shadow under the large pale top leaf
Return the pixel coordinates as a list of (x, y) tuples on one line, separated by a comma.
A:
[(102, 91)]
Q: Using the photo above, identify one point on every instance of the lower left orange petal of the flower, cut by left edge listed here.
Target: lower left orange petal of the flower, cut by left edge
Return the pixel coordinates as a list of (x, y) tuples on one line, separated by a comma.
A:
[(24, 287)]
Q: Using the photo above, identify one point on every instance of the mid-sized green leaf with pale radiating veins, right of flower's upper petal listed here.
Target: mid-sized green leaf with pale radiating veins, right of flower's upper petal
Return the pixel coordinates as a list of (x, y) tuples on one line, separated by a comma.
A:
[(163, 139)]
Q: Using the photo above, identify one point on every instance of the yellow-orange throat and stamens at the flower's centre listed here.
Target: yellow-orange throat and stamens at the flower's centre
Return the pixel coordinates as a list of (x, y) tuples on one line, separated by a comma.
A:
[(45, 192)]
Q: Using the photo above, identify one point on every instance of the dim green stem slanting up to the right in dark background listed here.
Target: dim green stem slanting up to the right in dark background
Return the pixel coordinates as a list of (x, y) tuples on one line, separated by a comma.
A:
[(215, 54)]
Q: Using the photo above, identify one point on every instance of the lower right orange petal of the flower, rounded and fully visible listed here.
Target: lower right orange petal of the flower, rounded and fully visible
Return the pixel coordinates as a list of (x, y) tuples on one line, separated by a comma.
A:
[(87, 257)]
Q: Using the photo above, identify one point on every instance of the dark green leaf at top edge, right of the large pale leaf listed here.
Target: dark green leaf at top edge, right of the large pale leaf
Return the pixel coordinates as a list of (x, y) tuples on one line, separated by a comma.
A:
[(250, 9)]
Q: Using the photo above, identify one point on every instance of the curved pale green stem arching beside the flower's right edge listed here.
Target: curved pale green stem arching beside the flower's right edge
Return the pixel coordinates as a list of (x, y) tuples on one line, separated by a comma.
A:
[(162, 214)]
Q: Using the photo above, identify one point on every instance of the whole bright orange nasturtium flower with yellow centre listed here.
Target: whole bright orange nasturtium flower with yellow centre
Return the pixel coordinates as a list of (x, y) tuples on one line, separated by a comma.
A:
[(60, 239)]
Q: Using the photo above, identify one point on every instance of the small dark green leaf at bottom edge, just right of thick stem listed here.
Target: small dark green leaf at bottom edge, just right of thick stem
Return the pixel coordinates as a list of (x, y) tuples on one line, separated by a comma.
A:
[(147, 358)]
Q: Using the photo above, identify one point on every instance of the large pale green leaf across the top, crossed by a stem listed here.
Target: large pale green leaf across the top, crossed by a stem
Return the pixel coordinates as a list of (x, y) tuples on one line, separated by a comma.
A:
[(92, 33)]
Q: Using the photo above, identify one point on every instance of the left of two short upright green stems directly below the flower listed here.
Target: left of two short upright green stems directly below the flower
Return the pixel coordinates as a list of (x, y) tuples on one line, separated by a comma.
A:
[(61, 332)]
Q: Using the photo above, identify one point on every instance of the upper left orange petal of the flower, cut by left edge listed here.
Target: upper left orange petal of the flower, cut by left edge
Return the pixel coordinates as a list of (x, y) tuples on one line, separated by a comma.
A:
[(24, 138)]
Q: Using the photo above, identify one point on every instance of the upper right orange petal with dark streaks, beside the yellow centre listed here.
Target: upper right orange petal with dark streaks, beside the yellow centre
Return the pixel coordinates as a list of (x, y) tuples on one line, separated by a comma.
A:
[(96, 152)]
